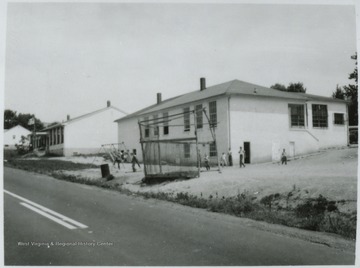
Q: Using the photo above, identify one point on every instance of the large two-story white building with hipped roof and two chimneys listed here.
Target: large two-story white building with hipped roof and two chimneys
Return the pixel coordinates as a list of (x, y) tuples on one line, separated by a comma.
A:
[(262, 120)]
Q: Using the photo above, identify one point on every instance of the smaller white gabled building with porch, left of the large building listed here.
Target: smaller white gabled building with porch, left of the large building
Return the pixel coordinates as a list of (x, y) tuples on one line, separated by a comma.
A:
[(84, 134)]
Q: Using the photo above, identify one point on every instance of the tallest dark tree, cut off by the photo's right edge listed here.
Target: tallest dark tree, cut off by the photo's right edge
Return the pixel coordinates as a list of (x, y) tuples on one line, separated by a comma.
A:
[(351, 93)]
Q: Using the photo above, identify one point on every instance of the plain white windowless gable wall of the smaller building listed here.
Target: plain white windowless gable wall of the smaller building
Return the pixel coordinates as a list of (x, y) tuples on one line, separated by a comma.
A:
[(86, 135)]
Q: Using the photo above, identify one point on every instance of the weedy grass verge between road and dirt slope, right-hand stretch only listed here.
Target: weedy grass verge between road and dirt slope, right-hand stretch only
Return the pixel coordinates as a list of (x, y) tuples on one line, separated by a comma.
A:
[(313, 214)]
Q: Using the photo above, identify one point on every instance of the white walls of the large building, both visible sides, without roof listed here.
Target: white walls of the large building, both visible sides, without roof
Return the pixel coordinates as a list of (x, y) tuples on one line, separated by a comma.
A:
[(263, 122)]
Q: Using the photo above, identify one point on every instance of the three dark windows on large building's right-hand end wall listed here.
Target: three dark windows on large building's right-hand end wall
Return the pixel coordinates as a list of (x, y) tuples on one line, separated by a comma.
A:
[(319, 116)]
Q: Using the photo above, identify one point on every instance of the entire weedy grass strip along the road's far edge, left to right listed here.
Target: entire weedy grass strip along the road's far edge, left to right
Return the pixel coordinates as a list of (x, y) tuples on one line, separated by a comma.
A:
[(317, 214)]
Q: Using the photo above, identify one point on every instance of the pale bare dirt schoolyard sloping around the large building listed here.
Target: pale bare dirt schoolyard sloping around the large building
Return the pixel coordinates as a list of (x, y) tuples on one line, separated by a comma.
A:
[(331, 173)]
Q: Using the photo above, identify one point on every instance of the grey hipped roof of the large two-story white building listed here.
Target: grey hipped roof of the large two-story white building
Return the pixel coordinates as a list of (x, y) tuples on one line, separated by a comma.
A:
[(234, 87)]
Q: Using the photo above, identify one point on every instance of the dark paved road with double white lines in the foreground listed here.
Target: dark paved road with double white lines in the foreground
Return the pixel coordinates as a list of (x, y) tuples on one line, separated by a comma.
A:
[(108, 228)]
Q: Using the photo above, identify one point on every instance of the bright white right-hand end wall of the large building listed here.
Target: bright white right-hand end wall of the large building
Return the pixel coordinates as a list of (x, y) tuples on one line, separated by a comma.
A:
[(265, 123)]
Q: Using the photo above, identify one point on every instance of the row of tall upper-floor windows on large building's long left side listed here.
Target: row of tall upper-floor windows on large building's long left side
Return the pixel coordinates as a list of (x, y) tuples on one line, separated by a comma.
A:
[(186, 114)]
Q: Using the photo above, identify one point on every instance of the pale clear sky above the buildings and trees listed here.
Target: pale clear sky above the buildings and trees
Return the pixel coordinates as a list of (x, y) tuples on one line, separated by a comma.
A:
[(70, 58)]
